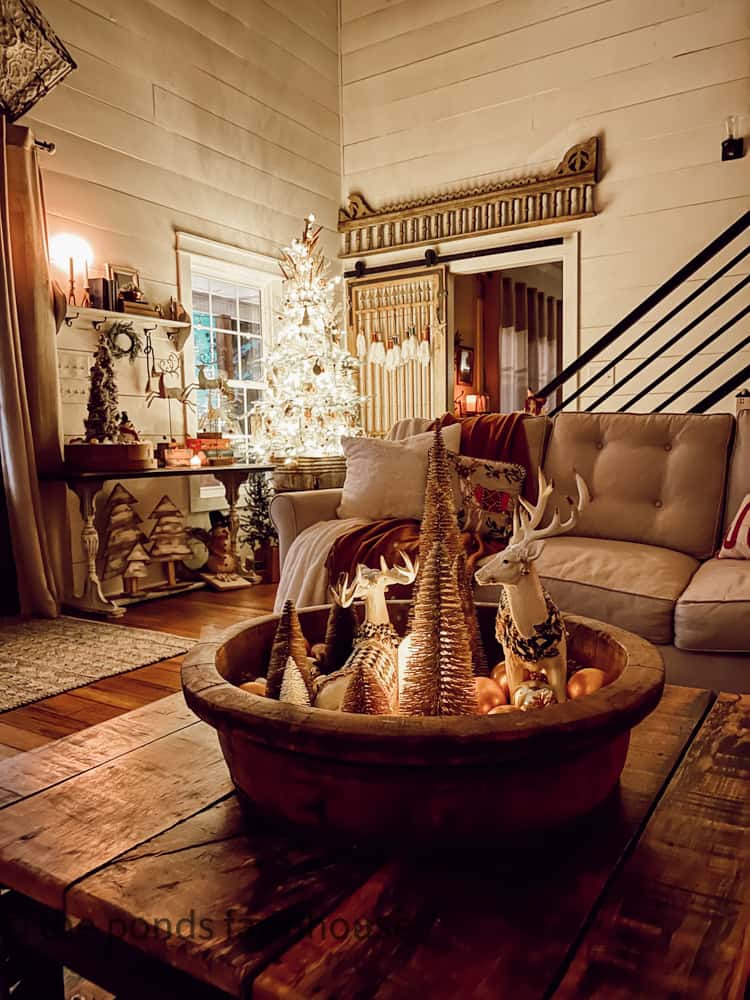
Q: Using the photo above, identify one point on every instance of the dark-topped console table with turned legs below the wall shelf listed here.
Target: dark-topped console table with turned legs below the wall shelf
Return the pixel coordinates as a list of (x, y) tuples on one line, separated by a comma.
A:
[(86, 486)]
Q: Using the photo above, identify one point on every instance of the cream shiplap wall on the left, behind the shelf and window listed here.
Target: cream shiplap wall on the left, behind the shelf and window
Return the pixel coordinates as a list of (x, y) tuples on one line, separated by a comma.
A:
[(216, 118)]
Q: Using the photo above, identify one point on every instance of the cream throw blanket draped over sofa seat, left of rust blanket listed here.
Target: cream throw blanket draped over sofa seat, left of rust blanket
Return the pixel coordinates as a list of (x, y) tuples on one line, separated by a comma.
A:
[(304, 577)]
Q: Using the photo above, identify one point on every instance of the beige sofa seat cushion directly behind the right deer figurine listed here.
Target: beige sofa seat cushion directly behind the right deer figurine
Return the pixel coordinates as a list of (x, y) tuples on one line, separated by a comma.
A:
[(624, 583)]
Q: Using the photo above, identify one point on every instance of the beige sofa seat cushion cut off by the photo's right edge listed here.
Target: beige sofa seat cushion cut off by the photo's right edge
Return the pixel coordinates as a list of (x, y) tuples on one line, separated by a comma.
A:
[(713, 615)]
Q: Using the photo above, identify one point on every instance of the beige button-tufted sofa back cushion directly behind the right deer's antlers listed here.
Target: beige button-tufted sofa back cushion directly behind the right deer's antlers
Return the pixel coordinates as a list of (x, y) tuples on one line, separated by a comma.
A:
[(655, 478)]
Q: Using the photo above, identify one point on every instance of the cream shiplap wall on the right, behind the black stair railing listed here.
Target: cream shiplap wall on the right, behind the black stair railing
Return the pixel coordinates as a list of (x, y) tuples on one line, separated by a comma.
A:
[(440, 93)]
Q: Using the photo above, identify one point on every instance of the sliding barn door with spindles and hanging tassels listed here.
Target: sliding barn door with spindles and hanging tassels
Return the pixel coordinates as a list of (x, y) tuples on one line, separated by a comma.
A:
[(397, 329)]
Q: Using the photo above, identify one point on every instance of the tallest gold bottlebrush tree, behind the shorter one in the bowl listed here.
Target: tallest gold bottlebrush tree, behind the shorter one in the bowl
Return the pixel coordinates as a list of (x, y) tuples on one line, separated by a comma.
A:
[(440, 524)]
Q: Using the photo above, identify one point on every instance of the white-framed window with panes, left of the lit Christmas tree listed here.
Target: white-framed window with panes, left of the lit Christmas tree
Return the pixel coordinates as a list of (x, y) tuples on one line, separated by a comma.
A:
[(233, 296)]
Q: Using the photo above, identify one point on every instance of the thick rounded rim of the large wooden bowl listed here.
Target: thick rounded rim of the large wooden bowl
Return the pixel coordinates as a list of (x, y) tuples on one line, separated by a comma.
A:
[(402, 739)]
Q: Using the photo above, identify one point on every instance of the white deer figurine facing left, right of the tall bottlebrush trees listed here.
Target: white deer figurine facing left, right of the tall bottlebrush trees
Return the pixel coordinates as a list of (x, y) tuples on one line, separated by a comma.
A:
[(528, 624)]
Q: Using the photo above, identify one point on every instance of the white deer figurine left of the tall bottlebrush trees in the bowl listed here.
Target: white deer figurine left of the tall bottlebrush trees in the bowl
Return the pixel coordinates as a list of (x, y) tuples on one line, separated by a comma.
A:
[(375, 640)]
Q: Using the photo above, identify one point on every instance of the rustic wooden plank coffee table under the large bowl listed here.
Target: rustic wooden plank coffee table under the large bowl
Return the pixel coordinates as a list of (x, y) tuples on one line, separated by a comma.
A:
[(126, 857)]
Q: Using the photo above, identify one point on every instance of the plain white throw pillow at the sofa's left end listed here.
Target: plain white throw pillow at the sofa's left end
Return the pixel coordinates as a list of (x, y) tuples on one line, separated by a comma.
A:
[(387, 478)]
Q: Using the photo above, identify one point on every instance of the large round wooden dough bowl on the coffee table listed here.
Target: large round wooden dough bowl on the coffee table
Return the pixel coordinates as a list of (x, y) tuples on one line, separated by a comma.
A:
[(436, 781)]
